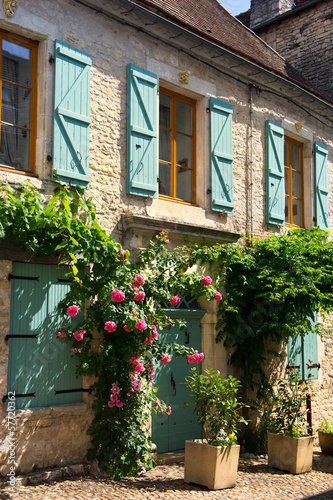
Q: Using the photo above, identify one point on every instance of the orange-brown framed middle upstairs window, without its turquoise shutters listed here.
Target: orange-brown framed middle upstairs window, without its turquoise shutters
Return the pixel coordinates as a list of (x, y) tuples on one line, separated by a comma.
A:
[(176, 146)]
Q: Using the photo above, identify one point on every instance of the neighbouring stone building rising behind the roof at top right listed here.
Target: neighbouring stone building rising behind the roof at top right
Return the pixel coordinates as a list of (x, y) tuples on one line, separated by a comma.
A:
[(299, 30)]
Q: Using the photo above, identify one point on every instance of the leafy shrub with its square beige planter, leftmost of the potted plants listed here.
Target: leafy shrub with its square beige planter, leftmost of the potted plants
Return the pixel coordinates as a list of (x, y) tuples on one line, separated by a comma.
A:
[(213, 460)]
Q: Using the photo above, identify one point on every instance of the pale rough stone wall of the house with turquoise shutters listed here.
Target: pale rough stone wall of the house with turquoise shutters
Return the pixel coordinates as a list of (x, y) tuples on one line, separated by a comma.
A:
[(115, 38)]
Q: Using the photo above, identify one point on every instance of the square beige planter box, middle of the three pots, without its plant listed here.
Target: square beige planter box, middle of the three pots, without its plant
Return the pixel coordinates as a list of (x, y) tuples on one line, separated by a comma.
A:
[(291, 454)]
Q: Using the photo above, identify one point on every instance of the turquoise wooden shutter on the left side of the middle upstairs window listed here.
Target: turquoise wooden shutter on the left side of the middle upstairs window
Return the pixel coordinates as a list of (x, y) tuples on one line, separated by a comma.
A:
[(142, 132)]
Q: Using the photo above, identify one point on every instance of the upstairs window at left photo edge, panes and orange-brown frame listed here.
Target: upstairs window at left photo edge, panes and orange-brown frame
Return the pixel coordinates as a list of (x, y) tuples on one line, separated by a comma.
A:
[(18, 59)]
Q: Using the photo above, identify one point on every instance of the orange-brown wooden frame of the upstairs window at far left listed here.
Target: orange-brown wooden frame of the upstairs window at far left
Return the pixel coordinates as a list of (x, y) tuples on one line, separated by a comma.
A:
[(33, 45)]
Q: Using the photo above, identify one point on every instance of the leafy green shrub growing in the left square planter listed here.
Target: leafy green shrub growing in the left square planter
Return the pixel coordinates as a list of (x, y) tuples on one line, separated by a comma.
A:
[(217, 406)]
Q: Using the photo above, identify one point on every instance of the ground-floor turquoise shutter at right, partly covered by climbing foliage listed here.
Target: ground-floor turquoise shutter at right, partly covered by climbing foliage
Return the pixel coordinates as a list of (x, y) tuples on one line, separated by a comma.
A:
[(302, 350)]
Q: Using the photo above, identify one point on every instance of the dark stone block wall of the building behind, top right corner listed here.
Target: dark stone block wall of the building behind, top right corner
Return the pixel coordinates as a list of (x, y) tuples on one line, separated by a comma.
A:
[(305, 39)]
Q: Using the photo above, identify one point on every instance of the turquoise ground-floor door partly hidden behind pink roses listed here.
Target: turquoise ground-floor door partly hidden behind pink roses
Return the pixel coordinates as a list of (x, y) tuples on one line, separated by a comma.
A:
[(169, 432)]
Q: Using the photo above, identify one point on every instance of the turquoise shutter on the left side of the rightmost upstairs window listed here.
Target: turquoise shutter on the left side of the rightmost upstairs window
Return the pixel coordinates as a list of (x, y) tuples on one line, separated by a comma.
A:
[(275, 173)]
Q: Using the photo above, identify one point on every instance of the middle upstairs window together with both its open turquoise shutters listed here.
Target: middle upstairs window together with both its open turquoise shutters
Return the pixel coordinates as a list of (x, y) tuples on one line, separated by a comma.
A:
[(176, 135)]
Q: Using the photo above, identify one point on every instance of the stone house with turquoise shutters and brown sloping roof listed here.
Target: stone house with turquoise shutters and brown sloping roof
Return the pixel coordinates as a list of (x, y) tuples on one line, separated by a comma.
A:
[(177, 116)]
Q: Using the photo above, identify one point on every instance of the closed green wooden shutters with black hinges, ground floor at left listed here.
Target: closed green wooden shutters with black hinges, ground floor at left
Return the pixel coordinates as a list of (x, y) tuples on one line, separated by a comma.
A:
[(40, 365)]
